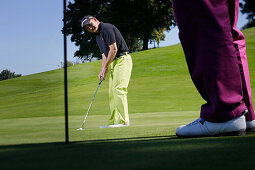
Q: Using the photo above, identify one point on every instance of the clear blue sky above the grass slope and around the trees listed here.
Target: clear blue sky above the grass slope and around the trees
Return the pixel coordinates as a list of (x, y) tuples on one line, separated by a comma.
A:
[(31, 40)]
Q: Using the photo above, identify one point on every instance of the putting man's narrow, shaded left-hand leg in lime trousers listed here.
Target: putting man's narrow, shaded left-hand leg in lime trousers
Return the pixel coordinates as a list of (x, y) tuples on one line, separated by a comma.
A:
[(113, 117)]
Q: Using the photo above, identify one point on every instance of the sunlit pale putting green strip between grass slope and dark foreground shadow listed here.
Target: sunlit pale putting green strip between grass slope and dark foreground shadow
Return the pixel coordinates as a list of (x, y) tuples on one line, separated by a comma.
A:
[(51, 129)]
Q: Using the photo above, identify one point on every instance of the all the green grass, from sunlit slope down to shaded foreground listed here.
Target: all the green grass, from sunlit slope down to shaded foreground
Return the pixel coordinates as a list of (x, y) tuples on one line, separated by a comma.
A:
[(161, 97)]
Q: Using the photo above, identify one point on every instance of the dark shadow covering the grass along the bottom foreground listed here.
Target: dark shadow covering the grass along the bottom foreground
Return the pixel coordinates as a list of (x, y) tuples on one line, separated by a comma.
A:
[(158, 152)]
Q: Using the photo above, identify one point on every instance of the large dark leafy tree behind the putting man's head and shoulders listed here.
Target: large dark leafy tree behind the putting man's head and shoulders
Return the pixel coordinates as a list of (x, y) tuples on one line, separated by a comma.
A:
[(136, 20)]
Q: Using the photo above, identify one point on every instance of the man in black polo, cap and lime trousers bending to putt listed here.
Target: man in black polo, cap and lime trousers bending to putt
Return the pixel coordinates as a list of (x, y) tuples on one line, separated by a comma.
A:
[(117, 60)]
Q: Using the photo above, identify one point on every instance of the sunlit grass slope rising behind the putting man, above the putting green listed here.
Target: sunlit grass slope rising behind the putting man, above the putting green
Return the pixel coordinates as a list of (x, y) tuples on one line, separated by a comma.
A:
[(160, 82)]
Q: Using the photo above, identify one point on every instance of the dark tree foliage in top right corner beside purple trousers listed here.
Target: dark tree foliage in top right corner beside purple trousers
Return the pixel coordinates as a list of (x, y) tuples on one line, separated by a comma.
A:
[(248, 7)]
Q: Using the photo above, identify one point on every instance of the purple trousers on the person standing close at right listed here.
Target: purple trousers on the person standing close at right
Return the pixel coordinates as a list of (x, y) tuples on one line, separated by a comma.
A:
[(215, 52)]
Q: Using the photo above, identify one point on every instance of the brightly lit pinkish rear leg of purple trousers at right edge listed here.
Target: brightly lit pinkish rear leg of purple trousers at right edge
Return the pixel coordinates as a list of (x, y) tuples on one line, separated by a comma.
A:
[(240, 45)]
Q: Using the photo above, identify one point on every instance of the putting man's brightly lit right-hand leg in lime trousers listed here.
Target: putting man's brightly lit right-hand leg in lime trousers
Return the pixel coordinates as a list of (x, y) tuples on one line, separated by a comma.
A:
[(121, 77)]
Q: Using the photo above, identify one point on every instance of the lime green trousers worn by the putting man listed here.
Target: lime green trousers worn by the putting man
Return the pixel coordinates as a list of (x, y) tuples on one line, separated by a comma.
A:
[(120, 73)]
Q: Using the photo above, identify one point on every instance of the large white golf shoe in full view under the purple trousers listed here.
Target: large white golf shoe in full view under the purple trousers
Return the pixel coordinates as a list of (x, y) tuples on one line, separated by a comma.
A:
[(201, 127)]
